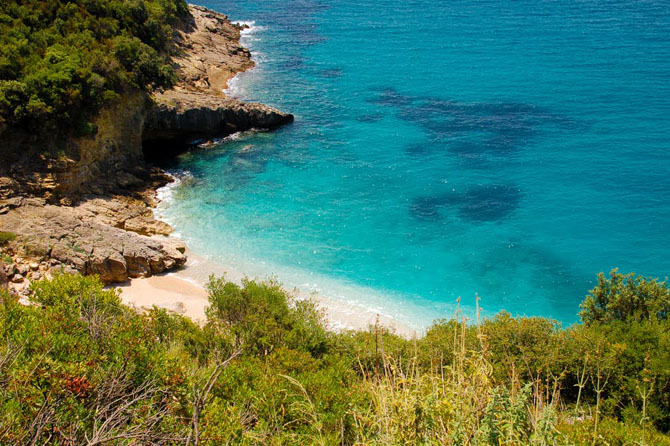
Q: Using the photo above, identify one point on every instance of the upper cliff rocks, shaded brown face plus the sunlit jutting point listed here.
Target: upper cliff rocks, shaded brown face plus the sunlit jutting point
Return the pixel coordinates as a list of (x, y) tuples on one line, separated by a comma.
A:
[(111, 160)]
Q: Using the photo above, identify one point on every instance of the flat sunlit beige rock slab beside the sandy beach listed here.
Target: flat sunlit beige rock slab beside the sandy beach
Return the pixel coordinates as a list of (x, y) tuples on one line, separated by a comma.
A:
[(74, 239)]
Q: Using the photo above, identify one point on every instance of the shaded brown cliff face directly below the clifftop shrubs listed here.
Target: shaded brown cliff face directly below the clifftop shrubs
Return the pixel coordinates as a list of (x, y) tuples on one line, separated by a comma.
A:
[(41, 166)]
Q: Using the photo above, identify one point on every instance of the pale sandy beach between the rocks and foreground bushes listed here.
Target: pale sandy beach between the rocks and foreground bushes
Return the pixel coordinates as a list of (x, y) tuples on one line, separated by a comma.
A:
[(184, 291)]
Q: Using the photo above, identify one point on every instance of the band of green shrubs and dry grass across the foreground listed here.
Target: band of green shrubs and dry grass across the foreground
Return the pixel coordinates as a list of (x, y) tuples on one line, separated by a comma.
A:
[(78, 367)]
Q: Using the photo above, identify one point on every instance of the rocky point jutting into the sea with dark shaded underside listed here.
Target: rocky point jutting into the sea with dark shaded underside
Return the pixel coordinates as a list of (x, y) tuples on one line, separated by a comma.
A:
[(198, 107)]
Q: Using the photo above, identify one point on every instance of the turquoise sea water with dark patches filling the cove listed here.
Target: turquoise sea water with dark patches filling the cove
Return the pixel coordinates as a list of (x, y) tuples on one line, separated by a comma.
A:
[(512, 149)]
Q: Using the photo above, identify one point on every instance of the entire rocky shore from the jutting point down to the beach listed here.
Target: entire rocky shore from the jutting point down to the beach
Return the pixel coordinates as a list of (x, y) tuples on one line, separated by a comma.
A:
[(87, 207)]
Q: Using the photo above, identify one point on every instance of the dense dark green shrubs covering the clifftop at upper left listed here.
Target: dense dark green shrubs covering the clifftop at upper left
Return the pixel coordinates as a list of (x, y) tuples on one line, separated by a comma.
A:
[(61, 60)]
